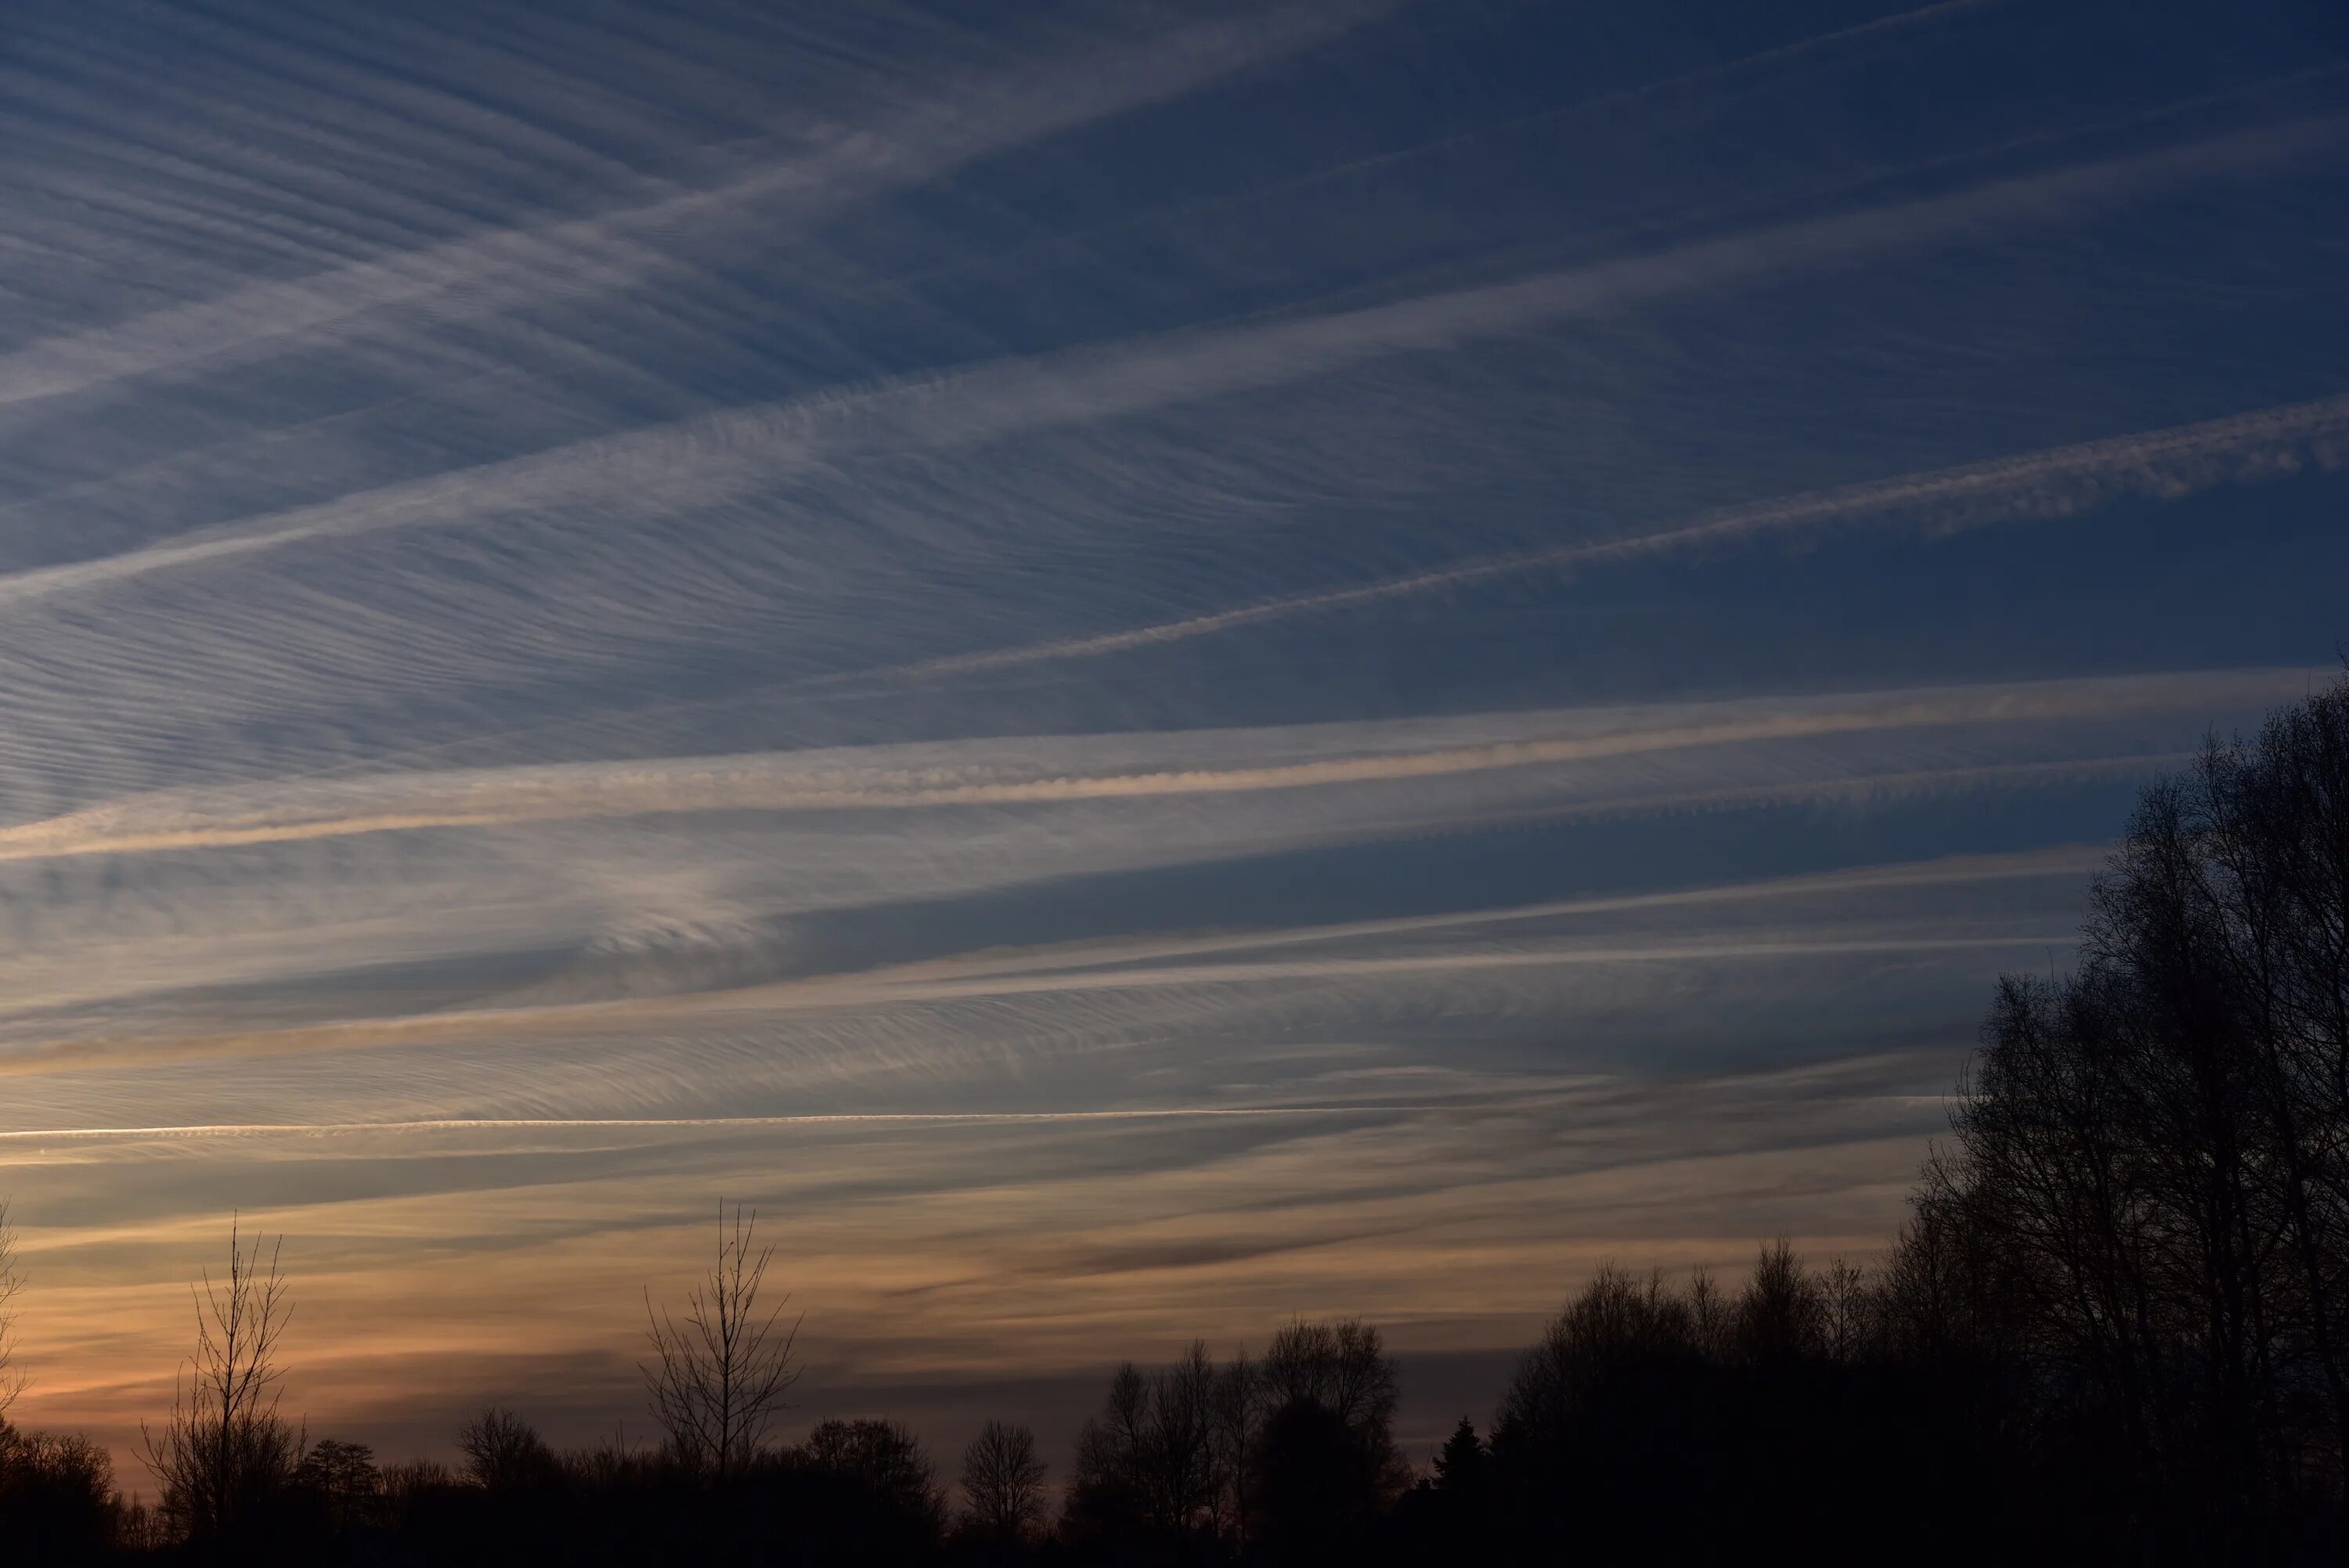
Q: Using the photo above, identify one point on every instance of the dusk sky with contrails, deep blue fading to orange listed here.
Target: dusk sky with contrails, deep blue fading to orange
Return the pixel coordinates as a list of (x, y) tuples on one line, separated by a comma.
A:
[(1140, 668)]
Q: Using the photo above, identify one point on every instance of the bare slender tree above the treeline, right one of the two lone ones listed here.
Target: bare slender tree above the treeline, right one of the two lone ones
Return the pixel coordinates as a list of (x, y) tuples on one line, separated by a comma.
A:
[(720, 1374)]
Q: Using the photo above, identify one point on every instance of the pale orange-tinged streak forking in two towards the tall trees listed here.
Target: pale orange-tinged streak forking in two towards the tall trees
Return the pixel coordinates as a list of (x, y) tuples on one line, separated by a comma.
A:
[(1152, 968)]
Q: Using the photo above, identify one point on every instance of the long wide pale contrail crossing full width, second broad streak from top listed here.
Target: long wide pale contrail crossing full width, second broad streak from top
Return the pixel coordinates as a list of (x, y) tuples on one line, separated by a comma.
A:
[(725, 457)]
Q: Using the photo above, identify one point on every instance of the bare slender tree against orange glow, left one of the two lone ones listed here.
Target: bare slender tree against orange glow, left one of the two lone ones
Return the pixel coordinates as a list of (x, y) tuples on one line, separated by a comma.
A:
[(227, 1449)]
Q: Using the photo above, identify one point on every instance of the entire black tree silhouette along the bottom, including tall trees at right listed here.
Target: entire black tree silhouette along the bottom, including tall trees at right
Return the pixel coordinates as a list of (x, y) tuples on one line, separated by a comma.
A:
[(2115, 1330)]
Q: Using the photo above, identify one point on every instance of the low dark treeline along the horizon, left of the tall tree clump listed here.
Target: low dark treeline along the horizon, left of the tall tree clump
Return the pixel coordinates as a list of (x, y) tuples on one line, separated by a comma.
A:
[(1704, 1407)]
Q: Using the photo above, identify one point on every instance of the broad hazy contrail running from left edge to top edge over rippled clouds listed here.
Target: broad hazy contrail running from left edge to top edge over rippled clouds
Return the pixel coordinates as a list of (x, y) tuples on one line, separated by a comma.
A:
[(953, 126)]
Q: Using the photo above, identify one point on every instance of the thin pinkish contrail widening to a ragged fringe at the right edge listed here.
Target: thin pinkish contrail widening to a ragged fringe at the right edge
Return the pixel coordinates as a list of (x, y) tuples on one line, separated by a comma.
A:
[(2054, 482)]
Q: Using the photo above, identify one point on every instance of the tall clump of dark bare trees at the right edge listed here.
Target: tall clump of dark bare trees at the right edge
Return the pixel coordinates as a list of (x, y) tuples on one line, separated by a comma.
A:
[(2158, 1147)]
